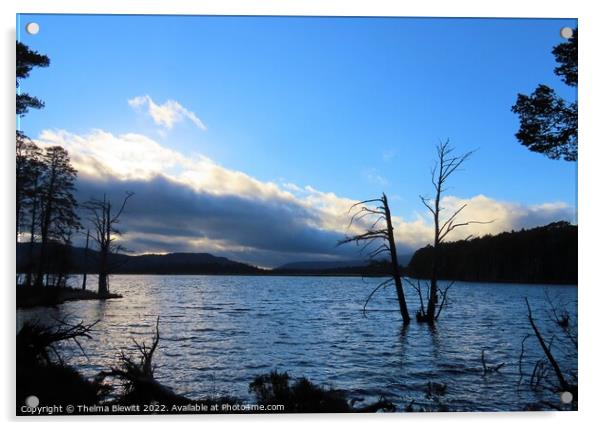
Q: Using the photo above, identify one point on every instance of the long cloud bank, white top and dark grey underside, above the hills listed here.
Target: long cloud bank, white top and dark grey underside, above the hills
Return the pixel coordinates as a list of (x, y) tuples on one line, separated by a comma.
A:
[(191, 203)]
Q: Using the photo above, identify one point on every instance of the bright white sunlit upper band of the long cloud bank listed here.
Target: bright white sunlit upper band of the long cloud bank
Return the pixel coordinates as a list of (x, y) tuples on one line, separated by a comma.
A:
[(100, 155)]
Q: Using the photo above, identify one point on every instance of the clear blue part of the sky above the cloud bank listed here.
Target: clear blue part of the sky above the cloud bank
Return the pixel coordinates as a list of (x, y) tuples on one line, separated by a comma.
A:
[(350, 106)]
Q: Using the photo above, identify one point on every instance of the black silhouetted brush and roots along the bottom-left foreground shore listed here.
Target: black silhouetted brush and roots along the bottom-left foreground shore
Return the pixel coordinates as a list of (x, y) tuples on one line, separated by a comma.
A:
[(130, 386)]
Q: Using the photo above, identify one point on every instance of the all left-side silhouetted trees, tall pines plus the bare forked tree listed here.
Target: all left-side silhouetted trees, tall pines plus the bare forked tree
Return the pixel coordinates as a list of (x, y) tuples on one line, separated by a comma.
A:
[(47, 216)]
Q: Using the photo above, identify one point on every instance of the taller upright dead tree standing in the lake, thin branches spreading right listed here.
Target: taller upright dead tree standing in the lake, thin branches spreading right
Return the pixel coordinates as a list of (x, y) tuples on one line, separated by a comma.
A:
[(445, 166)]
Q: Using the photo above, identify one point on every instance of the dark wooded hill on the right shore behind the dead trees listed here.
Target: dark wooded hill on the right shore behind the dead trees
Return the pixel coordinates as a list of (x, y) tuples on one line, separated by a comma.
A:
[(544, 255)]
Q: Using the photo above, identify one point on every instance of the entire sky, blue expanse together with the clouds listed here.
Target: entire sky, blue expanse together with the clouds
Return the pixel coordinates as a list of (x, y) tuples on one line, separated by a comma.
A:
[(250, 137)]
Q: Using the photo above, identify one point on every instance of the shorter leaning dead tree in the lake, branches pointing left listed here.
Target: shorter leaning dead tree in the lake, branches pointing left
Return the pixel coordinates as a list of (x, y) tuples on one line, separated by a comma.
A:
[(380, 233)]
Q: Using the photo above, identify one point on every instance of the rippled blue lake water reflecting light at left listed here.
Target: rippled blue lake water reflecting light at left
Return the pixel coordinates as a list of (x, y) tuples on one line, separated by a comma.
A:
[(219, 332)]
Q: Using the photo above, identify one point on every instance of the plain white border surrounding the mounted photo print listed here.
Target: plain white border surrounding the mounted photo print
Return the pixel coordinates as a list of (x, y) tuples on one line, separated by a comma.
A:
[(589, 197)]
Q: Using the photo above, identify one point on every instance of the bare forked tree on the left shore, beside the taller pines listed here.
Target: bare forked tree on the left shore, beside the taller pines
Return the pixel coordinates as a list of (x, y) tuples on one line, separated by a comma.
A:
[(104, 221)]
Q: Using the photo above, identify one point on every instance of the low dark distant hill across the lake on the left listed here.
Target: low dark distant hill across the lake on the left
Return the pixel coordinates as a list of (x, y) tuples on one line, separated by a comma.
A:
[(177, 263)]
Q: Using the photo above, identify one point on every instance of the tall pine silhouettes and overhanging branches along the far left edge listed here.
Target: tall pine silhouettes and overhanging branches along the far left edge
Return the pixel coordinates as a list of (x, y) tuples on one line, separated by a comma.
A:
[(46, 209)]
